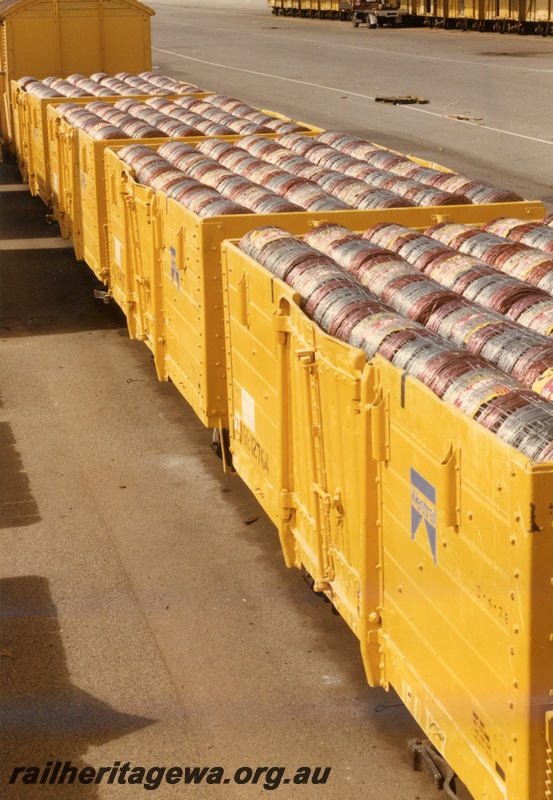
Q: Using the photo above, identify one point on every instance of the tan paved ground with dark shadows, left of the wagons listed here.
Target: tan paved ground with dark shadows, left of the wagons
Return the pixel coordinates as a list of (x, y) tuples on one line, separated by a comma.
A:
[(142, 619)]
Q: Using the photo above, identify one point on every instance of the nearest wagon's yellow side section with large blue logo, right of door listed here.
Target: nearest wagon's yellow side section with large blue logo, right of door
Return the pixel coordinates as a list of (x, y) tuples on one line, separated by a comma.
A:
[(467, 557)]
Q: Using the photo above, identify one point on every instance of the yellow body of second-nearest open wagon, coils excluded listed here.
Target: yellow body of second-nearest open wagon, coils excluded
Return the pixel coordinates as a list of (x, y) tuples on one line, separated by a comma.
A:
[(154, 241)]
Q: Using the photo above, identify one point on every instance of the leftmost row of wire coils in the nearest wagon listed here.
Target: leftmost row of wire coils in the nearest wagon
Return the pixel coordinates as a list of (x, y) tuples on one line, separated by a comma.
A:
[(342, 306)]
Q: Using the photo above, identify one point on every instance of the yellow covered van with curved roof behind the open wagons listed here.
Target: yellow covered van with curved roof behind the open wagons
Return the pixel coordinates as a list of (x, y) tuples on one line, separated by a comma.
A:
[(60, 37)]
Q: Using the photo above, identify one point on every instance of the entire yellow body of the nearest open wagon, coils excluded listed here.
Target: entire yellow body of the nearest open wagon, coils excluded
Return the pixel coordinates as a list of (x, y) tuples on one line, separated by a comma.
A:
[(430, 535)]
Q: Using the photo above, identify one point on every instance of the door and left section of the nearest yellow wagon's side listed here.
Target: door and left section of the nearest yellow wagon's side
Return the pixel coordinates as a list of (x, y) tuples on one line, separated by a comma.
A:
[(298, 428)]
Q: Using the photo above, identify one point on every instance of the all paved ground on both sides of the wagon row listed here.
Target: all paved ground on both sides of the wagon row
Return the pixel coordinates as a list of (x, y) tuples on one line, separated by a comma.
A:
[(144, 620)]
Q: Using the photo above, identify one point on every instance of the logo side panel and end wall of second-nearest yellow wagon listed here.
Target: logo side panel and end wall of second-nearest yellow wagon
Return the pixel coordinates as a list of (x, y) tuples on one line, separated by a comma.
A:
[(192, 246)]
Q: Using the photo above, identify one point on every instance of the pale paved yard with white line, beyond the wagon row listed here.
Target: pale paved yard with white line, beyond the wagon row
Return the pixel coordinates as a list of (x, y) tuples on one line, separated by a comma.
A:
[(329, 73)]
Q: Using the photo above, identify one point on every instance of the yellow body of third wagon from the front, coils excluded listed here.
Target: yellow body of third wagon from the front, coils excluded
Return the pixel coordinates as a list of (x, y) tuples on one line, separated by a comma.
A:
[(77, 170)]
